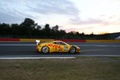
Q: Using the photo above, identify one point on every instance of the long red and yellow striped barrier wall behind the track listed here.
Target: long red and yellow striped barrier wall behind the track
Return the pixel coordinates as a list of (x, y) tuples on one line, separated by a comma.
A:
[(47, 40)]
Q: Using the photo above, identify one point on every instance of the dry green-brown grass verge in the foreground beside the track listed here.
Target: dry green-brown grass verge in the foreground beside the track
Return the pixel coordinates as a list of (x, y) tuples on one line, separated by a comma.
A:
[(80, 68)]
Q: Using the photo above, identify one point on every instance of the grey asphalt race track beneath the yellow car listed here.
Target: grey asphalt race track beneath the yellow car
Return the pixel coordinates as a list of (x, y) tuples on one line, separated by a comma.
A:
[(23, 49)]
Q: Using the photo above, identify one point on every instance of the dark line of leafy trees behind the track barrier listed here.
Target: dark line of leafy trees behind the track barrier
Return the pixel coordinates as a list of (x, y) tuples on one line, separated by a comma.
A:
[(29, 29)]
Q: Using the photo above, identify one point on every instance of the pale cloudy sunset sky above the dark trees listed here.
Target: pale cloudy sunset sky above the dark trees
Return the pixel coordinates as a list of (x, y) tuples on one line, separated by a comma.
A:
[(88, 16)]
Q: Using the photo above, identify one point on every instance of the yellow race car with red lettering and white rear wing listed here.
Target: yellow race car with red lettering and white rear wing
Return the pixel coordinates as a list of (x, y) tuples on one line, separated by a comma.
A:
[(56, 46)]
